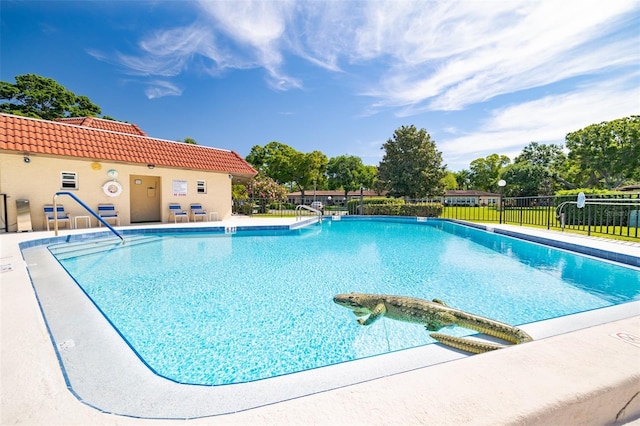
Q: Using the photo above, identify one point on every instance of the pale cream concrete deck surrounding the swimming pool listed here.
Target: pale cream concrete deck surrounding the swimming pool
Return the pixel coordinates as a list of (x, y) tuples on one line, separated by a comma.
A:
[(588, 376)]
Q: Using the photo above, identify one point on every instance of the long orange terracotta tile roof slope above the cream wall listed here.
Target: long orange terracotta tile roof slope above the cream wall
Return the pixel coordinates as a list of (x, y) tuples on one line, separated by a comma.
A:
[(33, 136)]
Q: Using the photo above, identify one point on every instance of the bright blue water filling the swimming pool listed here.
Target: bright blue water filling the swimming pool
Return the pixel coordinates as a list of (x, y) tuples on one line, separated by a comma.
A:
[(216, 309)]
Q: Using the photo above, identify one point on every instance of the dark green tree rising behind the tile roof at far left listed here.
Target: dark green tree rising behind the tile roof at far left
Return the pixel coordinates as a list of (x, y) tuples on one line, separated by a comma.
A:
[(40, 97)]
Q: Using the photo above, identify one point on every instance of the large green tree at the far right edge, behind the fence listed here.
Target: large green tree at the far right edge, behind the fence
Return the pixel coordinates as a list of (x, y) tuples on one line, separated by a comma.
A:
[(607, 154)]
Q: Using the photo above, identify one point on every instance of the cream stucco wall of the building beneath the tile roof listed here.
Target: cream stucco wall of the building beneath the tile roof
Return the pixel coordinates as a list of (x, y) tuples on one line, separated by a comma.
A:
[(39, 180)]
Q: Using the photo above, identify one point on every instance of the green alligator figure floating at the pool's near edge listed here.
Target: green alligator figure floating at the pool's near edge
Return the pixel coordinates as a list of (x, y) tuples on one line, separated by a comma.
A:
[(433, 315)]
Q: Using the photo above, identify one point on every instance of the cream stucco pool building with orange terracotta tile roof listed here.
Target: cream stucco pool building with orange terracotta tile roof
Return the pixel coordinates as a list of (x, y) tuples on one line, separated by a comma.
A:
[(101, 161)]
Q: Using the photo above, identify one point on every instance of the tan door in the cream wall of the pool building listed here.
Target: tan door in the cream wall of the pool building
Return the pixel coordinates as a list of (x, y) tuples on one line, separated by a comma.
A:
[(145, 198)]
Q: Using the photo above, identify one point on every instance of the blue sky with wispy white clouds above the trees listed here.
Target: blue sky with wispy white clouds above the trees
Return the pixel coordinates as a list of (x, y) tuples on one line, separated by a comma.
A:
[(481, 77)]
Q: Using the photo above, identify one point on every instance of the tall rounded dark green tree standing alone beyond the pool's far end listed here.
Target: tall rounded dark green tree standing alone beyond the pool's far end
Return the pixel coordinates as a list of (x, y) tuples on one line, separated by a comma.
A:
[(411, 166)]
